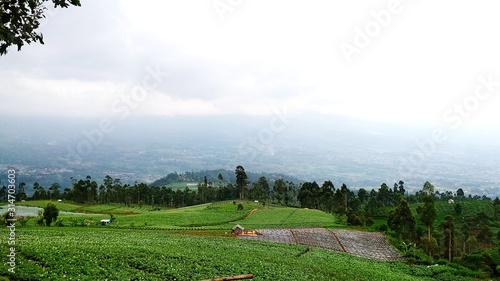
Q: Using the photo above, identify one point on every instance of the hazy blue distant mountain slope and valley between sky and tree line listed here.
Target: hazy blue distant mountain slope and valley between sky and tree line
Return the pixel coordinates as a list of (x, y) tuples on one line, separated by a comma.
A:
[(303, 147)]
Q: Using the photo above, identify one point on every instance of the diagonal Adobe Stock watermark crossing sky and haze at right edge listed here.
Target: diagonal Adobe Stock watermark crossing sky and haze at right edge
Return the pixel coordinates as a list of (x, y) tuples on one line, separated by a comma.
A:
[(455, 116)]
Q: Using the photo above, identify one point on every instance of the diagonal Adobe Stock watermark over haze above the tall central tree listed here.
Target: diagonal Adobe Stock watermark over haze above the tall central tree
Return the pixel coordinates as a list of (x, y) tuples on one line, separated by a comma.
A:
[(262, 141)]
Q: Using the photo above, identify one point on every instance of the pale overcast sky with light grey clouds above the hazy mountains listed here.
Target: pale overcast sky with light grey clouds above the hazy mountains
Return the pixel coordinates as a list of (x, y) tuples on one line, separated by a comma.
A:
[(425, 62)]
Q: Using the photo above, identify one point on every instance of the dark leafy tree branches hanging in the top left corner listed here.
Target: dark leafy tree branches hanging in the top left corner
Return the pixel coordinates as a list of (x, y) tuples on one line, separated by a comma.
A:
[(19, 20)]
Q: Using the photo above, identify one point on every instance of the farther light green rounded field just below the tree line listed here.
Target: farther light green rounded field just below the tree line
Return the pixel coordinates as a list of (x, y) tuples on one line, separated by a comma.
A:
[(221, 216)]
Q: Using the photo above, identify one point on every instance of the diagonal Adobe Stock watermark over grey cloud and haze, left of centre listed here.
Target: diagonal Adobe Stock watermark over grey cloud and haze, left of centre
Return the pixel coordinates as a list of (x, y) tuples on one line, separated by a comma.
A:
[(122, 107)]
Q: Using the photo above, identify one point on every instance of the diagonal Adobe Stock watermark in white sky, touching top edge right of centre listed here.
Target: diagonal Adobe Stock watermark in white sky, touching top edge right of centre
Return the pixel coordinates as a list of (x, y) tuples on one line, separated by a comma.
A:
[(363, 36)]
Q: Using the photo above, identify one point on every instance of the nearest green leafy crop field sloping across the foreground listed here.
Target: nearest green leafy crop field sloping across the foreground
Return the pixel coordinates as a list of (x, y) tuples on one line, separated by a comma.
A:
[(71, 253)]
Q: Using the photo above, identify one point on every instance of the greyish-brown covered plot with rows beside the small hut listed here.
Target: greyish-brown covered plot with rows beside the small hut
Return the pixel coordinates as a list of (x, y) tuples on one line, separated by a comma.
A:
[(357, 243)]
